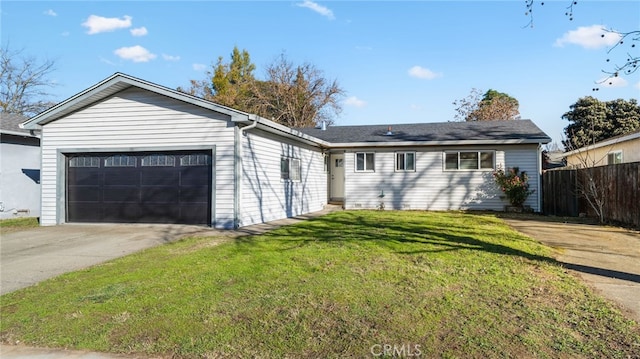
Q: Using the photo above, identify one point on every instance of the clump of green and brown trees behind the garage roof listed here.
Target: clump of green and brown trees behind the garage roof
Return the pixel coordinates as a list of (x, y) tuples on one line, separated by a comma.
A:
[(293, 95)]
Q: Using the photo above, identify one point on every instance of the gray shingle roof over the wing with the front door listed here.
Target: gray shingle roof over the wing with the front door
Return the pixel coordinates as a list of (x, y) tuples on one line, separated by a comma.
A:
[(480, 131)]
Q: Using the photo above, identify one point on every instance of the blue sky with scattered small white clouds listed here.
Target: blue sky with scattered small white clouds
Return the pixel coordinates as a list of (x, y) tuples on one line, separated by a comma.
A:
[(399, 62)]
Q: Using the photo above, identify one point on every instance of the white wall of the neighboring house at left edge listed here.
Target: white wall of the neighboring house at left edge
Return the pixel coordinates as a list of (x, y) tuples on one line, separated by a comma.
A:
[(19, 180)]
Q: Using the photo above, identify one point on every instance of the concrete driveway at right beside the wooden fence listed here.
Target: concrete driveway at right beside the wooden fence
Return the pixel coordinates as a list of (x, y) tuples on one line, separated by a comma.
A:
[(606, 258)]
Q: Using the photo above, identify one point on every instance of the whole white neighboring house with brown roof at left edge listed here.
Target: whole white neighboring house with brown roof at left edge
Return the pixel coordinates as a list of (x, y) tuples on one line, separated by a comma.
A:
[(19, 169)]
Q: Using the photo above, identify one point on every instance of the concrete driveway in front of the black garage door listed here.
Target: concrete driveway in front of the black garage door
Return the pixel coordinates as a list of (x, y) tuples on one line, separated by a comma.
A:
[(30, 256)]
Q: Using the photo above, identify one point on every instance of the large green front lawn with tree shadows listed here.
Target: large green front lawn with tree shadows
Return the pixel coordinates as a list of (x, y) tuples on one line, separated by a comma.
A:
[(349, 284)]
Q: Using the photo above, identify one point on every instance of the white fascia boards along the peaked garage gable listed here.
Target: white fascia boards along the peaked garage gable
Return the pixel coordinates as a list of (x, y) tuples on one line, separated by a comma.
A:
[(114, 84)]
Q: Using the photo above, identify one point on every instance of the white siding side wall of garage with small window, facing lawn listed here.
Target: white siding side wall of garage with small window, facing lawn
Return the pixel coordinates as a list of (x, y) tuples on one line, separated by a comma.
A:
[(264, 196)]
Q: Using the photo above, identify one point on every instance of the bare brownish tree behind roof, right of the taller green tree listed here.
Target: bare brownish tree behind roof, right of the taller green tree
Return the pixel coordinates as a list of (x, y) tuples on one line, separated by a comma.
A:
[(297, 96)]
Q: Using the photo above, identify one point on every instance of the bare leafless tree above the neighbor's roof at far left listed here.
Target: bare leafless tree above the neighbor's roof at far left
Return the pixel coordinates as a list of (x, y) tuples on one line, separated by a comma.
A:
[(23, 83)]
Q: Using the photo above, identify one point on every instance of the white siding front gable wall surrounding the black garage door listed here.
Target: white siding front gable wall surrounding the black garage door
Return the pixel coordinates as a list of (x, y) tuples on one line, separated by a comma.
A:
[(136, 120)]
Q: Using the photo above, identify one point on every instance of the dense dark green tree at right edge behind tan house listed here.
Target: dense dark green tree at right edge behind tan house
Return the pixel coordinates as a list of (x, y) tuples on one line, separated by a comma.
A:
[(593, 120)]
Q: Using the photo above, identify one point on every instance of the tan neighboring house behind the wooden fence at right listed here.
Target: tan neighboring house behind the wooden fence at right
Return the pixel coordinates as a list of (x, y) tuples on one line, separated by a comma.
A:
[(619, 149)]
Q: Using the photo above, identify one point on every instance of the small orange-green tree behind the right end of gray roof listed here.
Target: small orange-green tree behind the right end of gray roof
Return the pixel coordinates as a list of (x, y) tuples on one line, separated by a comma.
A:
[(493, 105)]
